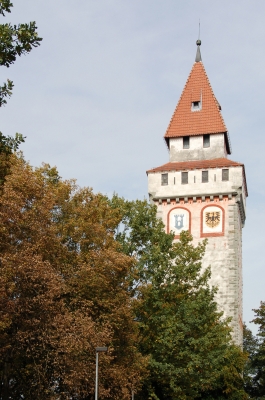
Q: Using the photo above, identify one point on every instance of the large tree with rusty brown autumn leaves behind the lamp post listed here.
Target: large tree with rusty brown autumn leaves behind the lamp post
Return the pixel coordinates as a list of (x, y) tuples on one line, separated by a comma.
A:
[(63, 291)]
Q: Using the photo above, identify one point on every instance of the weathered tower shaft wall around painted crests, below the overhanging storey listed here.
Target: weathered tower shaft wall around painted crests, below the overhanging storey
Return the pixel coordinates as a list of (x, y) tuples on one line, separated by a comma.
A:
[(223, 254)]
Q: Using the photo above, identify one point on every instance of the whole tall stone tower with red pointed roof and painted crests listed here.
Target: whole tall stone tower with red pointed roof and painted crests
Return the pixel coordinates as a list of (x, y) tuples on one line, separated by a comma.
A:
[(203, 191)]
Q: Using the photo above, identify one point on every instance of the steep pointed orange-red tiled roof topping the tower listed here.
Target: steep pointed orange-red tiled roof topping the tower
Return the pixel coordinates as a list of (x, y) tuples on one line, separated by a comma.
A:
[(205, 120)]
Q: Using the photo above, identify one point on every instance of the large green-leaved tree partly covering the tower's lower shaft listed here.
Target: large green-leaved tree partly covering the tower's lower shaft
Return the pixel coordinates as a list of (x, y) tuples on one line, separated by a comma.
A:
[(191, 355)]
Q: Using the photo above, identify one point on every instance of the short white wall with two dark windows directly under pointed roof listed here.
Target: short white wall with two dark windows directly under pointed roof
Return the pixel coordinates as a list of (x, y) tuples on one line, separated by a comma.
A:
[(196, 150)]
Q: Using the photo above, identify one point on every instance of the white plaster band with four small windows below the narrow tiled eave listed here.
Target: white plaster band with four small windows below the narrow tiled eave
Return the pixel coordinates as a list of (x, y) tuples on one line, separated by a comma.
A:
[(195, 186)]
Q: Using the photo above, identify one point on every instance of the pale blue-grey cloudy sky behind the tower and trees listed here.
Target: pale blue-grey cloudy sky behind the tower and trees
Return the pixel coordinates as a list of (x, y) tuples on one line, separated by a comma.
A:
[(96, 97)]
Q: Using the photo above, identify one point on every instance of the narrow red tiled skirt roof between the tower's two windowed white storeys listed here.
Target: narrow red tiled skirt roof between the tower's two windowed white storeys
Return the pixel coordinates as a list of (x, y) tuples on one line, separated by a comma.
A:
[(201, 164)]
